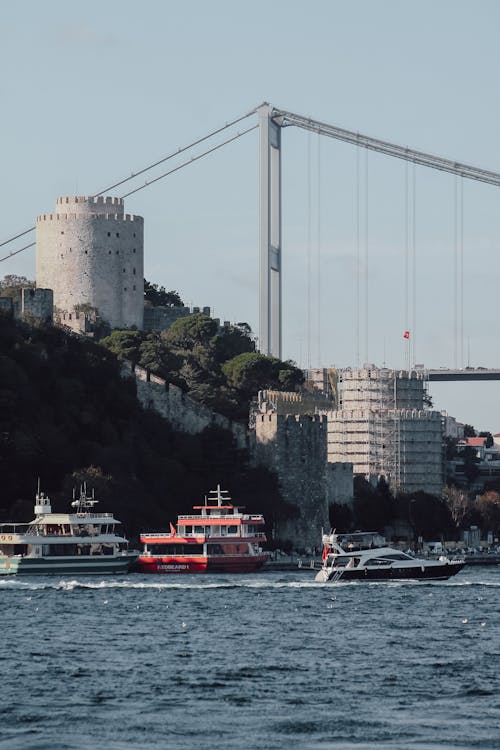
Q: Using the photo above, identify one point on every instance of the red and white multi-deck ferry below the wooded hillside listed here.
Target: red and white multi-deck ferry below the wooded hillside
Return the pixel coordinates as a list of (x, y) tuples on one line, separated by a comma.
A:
[(217, 539)]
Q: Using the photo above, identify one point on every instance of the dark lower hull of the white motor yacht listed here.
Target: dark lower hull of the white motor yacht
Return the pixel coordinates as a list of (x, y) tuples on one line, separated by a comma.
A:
[(439, 572)]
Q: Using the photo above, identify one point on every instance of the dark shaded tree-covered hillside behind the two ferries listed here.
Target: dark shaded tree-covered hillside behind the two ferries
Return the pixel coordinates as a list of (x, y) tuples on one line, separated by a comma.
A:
[(66, 416)]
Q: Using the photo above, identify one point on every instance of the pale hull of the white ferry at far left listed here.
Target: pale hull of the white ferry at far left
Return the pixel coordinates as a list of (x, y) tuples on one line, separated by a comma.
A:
[(81, 565)]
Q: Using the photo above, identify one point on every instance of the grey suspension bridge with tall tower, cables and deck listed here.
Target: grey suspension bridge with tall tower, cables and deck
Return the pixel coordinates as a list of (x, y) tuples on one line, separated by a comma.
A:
[(271, 123)]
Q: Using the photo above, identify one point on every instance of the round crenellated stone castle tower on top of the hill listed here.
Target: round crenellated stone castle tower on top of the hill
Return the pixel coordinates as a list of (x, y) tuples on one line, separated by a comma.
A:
[(92, 255)]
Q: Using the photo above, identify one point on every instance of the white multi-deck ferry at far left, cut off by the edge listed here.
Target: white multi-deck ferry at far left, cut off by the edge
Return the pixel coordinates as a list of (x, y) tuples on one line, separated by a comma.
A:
[(82, 541)]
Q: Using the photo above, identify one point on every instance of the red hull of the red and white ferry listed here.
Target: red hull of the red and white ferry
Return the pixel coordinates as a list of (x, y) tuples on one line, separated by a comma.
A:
[(200, 564)]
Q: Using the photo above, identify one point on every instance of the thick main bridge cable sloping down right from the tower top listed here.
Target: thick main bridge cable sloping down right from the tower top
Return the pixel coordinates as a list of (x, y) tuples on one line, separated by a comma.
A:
[(421, 158)]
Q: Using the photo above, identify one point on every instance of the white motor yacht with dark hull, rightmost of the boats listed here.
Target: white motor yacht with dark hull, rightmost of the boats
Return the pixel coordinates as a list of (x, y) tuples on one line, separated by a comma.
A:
[(365, 556)]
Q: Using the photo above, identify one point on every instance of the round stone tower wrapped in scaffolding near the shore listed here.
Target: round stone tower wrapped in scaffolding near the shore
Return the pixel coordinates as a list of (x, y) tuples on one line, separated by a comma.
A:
[(383, 429)]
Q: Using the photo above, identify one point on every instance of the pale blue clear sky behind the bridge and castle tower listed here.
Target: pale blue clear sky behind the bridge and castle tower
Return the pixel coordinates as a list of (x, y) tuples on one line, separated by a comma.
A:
[(92, 92)]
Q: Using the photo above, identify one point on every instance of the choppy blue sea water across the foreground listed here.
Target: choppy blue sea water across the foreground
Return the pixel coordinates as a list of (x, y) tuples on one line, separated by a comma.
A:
[(271, 660)]
